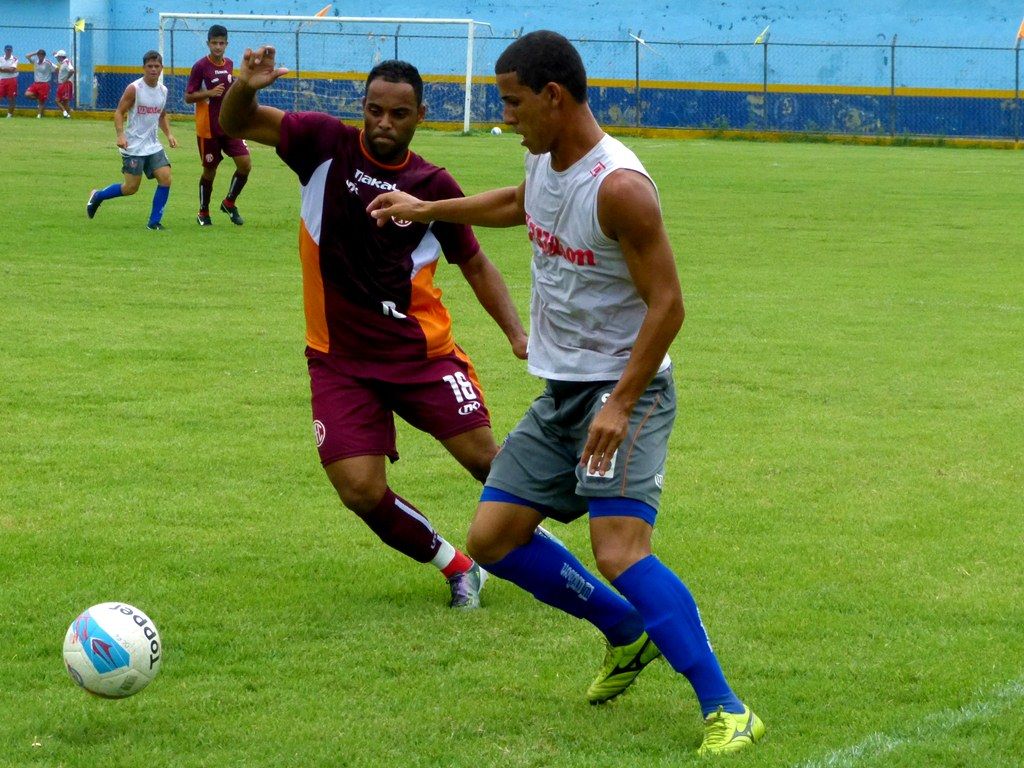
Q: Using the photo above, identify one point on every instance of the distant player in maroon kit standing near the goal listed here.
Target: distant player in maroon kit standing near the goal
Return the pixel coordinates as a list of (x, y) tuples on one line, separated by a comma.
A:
[(210, 77)]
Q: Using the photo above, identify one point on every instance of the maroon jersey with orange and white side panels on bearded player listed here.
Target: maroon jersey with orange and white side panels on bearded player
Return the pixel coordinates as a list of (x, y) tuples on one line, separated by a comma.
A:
[(369, 290)]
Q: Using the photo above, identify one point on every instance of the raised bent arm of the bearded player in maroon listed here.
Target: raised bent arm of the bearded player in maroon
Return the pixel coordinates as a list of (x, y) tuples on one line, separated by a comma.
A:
[(241, 115)]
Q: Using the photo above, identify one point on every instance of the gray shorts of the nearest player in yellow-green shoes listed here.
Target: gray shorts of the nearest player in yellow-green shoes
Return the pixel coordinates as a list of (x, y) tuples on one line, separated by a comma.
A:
[(540, 460)]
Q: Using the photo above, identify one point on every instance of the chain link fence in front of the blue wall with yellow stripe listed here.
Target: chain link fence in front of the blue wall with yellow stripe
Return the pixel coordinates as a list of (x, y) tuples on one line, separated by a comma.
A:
[(882, 90)]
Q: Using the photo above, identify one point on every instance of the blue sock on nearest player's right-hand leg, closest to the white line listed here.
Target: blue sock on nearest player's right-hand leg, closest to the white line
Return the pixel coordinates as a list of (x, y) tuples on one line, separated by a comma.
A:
[(673, 622)]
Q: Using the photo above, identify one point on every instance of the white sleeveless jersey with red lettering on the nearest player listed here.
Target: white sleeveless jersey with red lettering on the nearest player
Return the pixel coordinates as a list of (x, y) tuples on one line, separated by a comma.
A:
[(585, 311)]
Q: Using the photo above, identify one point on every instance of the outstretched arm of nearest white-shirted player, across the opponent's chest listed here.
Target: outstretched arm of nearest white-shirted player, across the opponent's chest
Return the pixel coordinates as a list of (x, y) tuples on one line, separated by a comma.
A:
[(495, 208)]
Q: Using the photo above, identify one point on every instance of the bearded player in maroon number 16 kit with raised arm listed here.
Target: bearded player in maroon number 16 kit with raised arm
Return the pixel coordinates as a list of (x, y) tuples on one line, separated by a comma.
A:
[(378, 338)]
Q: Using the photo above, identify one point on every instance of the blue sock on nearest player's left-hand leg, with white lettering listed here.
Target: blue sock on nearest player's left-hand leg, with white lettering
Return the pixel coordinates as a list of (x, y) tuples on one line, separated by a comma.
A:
[(552, 575)]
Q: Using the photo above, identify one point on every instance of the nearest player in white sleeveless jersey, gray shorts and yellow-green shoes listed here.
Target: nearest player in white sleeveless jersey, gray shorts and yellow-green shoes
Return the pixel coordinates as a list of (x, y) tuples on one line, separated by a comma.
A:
[(606, 307)]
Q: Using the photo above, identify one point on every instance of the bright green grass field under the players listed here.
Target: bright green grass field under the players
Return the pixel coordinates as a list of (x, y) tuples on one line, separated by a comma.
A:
[(843, 495)]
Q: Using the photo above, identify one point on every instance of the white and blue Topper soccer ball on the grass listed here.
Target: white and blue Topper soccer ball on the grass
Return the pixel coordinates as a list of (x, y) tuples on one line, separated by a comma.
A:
[(113, 651)]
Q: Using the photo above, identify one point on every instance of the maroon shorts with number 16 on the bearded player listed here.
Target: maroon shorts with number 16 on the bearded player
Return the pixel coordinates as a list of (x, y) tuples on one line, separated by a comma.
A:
[(355, 402)]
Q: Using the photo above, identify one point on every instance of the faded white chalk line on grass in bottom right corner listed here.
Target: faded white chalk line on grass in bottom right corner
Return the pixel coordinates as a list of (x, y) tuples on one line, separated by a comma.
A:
[(927, 730)]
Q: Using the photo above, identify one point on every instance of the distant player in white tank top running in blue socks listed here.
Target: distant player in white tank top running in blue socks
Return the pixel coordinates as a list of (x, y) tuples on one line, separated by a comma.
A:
[(143, 106)]
